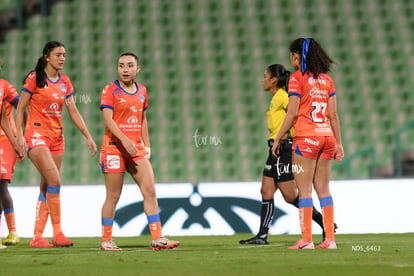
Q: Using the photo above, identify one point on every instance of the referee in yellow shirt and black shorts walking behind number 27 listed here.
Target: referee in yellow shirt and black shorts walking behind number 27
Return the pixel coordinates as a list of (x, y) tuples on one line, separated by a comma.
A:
[(278, 171)]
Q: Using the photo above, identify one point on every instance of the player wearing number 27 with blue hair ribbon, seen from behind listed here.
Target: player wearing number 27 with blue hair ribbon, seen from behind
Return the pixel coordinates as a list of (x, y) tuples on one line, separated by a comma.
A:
[(317, 136)]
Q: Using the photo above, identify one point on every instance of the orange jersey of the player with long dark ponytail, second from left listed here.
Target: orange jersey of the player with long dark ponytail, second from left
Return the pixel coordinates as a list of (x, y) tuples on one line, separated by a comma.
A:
[(46, 103)]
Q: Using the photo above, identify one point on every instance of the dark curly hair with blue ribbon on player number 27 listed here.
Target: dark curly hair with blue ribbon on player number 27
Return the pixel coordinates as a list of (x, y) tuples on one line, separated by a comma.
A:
[(313, 57)]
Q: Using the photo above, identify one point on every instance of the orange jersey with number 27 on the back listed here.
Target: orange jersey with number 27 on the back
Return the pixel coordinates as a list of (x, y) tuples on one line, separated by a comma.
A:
[(314, 94)]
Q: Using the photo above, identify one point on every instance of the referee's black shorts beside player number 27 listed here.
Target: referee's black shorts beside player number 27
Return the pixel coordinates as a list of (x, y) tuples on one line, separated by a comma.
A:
[(280, 167)]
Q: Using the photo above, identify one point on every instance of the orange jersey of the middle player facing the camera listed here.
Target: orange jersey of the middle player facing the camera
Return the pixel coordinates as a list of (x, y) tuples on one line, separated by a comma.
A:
[(128, 111)]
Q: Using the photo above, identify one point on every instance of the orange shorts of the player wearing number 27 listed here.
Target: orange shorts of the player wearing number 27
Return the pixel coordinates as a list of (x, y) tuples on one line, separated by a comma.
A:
[(314, 146)]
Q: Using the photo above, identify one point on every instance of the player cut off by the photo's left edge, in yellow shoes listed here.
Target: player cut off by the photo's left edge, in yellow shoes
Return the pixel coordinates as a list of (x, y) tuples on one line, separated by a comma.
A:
[(11, 98)]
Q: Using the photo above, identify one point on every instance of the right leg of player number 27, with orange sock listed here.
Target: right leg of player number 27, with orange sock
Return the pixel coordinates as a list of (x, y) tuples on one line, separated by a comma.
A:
[(321, 184)]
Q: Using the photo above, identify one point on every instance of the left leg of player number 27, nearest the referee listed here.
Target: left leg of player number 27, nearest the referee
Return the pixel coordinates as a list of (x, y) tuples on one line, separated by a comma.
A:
[(303, 169)]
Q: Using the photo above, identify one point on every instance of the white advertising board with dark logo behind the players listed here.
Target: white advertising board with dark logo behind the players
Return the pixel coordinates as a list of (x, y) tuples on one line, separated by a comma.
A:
[(369, 206)]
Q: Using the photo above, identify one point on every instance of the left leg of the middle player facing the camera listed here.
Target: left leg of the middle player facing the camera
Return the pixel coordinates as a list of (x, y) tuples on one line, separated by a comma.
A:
[(113, 187)]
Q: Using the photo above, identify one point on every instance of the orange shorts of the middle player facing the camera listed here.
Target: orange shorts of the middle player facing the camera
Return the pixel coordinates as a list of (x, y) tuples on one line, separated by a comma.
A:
[(116, 162)]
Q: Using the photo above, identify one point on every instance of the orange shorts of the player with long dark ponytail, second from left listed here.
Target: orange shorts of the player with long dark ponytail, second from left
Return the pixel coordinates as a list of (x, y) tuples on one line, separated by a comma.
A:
[(34, 139)]
